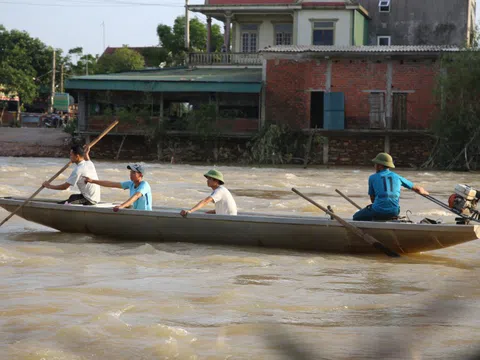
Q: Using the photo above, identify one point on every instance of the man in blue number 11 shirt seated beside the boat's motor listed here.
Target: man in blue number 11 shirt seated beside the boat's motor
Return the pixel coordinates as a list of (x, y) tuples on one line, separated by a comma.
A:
[(384, 190)]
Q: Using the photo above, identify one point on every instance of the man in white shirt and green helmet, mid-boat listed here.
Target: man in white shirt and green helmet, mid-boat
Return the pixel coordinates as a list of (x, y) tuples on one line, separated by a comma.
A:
[(223, 199)]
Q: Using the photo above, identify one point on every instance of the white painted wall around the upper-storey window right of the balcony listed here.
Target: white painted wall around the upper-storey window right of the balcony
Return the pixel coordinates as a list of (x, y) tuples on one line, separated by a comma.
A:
[(343, 25)]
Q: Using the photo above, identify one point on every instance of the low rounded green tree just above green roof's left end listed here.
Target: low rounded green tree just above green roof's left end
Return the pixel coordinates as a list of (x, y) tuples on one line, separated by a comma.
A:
[(123, 59)]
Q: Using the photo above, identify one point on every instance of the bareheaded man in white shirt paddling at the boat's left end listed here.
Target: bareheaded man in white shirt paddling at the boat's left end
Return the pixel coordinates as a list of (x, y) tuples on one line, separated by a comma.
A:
[(89, 193)]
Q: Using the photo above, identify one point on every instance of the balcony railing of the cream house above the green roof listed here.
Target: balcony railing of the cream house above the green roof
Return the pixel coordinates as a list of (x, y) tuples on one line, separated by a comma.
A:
[(224, 59)]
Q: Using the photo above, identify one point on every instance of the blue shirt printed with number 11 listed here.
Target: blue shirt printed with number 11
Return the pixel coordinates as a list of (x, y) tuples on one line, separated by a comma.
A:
[(385, 186)]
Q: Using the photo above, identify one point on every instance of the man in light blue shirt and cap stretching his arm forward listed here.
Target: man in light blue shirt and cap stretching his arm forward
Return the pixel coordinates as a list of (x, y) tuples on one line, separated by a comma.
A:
[(140, 191)]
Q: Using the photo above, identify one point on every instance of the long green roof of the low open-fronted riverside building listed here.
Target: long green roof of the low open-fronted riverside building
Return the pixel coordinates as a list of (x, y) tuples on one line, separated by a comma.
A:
[(174, 80)]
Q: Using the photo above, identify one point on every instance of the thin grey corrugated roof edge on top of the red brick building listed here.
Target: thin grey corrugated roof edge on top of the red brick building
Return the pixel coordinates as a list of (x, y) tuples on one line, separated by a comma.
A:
[(360, 49)]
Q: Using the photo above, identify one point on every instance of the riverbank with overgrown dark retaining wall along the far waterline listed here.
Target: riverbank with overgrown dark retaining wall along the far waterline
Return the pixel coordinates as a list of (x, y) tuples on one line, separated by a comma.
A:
[(347, 149)]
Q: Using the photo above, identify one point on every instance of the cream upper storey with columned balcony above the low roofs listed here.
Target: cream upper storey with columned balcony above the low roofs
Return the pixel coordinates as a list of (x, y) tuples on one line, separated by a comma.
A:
[(252, 25)]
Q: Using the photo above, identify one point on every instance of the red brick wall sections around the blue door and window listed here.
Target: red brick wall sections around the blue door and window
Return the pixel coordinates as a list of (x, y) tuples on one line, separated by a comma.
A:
[(289, 83)]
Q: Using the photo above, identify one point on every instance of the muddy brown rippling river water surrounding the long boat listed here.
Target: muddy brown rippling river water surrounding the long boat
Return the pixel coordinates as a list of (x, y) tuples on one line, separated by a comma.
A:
[(78, 296)]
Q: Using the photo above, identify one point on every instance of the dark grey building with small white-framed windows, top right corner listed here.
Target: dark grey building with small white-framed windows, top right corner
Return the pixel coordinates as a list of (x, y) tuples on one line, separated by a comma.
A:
[(426, 22)]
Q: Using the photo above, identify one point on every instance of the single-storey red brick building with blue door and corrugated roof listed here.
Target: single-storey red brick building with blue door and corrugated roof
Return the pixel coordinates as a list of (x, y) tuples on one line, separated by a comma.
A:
[(336, 88)]
